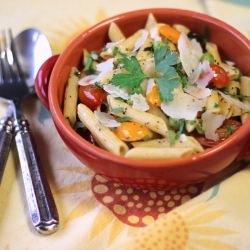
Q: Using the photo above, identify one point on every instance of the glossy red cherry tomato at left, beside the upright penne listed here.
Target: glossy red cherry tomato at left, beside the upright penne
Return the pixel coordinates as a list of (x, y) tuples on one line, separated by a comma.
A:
[(91, 96)]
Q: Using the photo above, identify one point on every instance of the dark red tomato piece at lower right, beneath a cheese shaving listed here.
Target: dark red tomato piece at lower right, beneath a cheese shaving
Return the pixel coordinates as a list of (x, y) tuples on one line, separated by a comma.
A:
[(229, 126)]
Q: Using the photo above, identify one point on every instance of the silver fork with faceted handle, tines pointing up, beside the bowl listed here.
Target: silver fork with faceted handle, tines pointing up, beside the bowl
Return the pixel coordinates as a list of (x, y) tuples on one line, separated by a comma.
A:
[(41, 205)]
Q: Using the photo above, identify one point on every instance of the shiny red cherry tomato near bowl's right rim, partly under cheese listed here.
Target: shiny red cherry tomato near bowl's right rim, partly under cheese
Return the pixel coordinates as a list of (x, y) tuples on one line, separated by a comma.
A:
[(220, 79)]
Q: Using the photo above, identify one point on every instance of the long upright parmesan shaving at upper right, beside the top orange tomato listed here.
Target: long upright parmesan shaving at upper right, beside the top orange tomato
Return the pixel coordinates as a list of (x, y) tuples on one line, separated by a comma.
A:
[(190, 53)]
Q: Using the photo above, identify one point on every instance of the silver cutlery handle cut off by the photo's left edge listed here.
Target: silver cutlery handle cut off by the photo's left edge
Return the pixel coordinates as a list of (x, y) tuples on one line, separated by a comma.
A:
[(6, 135)]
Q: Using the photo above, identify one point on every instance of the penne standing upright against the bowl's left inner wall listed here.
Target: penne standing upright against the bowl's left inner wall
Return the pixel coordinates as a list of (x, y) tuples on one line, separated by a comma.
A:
[(71, 97)]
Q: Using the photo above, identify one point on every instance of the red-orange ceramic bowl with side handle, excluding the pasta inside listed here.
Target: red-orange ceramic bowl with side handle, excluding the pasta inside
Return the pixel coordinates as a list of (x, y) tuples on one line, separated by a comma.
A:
[(146, 173)]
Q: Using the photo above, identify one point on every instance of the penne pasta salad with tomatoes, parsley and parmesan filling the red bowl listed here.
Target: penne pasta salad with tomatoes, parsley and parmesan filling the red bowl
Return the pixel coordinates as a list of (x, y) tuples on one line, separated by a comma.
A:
[(162, 93)]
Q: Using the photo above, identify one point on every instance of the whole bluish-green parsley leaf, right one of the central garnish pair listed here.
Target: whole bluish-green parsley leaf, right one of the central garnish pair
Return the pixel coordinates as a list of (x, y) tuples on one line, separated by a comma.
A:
[(164, 60)]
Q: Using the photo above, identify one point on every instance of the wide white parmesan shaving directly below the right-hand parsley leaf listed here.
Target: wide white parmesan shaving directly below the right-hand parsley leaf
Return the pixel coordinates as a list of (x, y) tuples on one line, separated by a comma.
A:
[(183, 106)]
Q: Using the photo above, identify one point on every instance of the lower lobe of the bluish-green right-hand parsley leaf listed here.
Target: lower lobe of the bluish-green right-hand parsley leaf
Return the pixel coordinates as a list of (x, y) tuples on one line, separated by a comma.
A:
[(167, 83)]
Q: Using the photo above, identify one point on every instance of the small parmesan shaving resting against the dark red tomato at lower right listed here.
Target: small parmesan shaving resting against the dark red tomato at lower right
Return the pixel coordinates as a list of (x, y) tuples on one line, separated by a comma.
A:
[(210, 122)]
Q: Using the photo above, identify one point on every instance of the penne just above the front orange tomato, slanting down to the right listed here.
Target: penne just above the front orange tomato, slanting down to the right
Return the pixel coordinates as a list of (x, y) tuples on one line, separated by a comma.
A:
[(153, 122)]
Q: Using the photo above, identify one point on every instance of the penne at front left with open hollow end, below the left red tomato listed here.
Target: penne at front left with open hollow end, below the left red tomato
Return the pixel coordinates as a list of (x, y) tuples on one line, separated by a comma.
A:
[(104, 137)]
